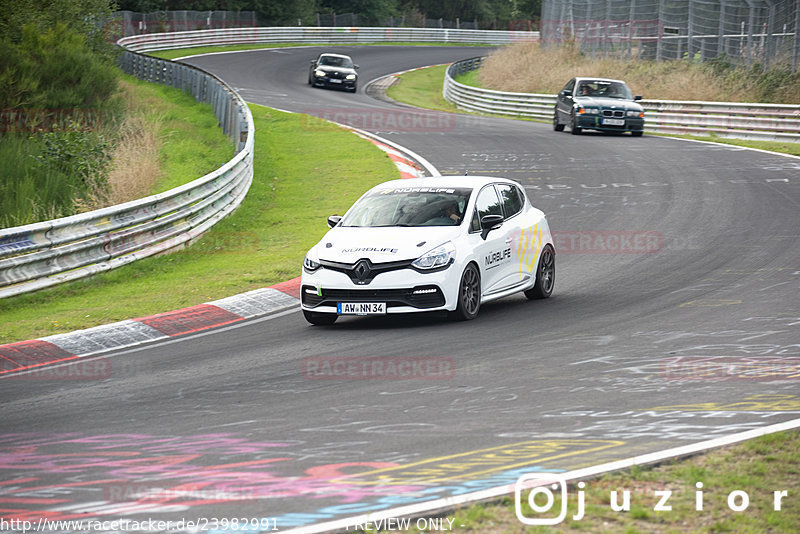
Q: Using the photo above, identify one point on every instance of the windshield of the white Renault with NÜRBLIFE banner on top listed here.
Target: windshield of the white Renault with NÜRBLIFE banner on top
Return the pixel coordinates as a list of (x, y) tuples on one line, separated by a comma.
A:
[(409, 206)]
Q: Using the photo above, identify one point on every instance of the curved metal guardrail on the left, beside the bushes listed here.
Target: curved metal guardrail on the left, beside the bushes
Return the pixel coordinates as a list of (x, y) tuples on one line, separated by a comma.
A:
[(44, 254)]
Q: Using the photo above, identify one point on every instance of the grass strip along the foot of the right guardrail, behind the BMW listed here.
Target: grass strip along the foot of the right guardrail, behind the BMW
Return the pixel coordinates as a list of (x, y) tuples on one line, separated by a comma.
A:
[(423, 88)]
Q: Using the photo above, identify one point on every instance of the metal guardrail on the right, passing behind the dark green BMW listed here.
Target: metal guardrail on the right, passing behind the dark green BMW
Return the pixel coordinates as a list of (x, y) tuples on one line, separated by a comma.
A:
[(763, 122)]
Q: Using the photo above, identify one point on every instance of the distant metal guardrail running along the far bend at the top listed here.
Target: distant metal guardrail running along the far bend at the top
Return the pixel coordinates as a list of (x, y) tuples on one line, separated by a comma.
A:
[(320, 35)]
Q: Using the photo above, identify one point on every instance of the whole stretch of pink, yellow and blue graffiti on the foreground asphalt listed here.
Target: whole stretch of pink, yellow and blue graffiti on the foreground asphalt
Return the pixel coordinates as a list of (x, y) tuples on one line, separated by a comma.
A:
[(71, 476)]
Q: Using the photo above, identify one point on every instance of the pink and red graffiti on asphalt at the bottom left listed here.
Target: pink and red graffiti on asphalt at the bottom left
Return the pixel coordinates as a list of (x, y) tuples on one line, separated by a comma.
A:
[(124, 474)]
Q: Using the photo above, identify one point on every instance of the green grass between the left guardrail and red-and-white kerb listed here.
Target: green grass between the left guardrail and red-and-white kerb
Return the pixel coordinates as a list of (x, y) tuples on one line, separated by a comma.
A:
[(298, 182)]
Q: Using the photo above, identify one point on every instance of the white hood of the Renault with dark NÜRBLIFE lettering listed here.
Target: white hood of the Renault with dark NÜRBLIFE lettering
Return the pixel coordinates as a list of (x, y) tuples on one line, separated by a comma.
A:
[(382, 245)]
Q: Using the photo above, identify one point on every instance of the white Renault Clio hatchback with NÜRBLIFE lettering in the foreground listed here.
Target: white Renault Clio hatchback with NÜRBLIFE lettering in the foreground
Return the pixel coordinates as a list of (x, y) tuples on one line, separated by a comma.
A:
[(427, 244)]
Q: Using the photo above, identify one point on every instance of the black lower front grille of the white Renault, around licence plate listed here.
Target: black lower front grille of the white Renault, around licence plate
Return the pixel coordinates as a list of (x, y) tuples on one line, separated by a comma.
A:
[(425, 296)]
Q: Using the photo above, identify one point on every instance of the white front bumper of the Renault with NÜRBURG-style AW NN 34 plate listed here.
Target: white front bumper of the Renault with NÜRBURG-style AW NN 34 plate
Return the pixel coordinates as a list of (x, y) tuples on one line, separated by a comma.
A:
[(403, 291)]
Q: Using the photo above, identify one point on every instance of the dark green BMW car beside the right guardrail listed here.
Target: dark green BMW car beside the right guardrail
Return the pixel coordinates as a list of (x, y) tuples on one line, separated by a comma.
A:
[(598, 104)]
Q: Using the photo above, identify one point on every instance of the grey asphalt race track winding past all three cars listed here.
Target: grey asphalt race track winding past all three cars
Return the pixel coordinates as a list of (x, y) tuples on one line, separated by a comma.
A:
[(674, 320)]
